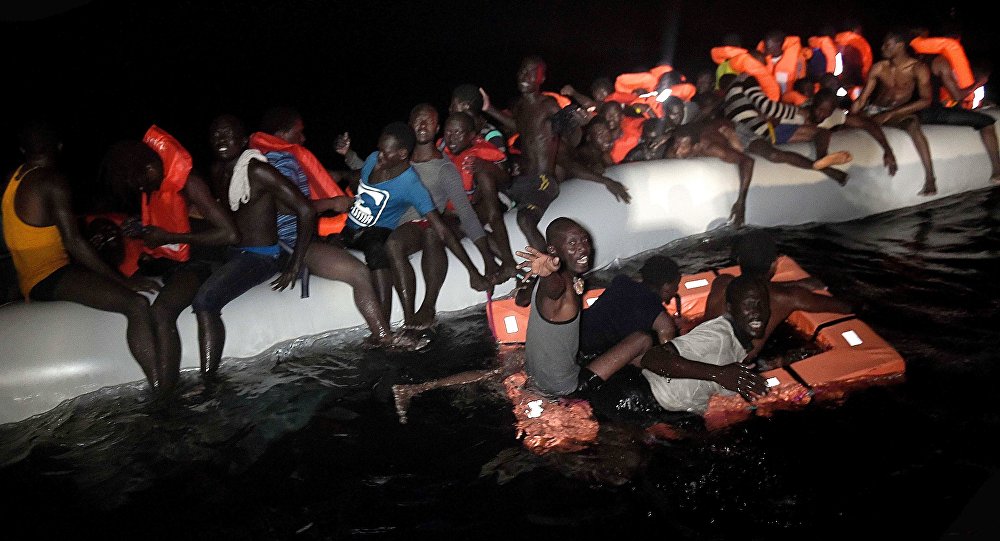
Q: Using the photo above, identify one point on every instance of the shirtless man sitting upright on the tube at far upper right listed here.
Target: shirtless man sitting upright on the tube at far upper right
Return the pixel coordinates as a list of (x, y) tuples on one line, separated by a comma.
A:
[(897, 89)]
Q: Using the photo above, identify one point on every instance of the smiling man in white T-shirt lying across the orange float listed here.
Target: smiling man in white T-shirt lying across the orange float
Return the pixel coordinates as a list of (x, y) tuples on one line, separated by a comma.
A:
[(684, 373)]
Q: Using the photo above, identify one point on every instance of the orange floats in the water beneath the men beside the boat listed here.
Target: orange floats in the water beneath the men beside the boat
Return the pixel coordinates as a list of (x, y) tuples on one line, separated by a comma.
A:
[(848, 355)]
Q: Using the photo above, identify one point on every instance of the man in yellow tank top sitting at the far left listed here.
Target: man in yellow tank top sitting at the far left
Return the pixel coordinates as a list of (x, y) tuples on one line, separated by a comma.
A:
[(41, 232)]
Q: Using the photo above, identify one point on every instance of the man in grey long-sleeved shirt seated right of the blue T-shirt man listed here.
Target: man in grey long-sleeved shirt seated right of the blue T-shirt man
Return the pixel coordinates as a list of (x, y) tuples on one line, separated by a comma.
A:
[(444, 183)]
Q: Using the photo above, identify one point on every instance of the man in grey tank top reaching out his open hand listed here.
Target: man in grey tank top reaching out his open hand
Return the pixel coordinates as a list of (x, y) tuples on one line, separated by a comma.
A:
[(553, 336)]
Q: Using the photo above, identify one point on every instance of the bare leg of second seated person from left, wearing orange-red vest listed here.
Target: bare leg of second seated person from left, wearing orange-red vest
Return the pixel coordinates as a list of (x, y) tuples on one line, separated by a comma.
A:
[(174, 297)]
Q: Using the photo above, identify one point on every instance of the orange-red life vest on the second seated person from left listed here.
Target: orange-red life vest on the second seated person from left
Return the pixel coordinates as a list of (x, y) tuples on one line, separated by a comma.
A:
[(166, 208)]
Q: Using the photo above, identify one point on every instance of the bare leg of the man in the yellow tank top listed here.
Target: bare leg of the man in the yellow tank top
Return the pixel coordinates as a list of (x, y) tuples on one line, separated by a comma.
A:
[(90, 289)]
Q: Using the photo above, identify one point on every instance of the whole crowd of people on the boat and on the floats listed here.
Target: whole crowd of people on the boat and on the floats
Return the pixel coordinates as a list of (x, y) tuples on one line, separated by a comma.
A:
[(267, 209)]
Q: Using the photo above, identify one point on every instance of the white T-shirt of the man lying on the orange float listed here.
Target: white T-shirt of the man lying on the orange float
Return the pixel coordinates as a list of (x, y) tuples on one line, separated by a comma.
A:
[(712, 342)]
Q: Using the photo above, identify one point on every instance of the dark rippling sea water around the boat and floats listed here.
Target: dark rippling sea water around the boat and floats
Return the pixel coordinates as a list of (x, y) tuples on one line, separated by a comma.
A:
[(304, 443)]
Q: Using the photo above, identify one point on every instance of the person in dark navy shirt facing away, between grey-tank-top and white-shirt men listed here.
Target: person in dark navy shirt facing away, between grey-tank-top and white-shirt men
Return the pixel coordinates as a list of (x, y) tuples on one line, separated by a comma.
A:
[(629, 305)]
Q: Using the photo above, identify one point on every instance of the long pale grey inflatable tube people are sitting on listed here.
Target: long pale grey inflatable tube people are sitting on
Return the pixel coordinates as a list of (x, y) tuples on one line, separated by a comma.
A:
[(50, 352)]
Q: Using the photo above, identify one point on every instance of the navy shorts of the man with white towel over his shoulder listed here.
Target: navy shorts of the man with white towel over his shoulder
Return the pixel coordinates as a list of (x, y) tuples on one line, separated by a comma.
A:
[(236, 276)]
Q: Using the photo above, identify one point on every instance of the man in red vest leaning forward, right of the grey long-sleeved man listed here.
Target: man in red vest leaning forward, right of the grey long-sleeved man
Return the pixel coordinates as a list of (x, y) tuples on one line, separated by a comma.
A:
[(464, 148)]
